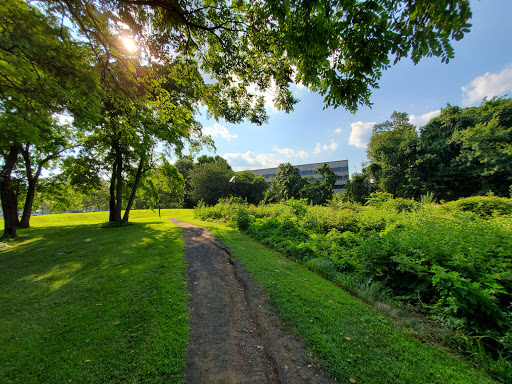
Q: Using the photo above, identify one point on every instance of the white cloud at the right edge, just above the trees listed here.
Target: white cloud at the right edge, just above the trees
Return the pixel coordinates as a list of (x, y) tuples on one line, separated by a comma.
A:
[(488, 85)]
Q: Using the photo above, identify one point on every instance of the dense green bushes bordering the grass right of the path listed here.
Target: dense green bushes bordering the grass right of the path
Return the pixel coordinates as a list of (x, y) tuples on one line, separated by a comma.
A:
[(452, 262)]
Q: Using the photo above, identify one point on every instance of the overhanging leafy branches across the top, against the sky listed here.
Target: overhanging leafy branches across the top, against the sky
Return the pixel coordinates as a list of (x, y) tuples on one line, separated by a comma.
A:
[(338, 48)]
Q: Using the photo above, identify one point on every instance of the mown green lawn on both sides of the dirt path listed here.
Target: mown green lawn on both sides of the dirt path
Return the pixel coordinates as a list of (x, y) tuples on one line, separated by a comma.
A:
[(84, 304)]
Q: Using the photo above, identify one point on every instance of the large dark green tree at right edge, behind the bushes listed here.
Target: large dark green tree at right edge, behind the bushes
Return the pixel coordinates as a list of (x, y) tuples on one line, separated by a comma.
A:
[(465, 152)]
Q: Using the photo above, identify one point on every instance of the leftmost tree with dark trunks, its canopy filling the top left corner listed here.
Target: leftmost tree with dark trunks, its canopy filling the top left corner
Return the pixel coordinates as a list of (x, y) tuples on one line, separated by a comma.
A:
[(43, 72)]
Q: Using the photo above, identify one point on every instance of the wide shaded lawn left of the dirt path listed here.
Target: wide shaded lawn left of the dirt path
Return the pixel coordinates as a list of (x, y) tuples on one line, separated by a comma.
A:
[(83, 304)]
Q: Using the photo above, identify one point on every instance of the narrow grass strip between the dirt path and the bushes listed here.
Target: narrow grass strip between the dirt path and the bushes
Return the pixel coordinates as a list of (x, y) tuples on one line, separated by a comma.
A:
[(352, 340)]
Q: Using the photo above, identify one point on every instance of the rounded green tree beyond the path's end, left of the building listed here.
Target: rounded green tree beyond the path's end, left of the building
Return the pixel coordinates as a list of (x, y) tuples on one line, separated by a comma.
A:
[(210, 182)]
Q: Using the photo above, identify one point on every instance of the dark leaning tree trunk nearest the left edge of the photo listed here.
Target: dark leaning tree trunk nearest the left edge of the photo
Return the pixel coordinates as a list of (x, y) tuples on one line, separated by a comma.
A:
[(9, 198)]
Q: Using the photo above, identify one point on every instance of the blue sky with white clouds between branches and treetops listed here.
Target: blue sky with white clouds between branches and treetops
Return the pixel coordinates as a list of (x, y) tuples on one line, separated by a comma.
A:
[(482, 67)]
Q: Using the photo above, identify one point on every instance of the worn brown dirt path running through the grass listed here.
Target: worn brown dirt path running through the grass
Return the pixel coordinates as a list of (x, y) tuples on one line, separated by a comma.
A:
[(234, 338)]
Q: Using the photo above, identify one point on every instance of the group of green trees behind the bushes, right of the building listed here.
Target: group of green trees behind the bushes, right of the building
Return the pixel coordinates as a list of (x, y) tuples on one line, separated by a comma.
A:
[(463, 152)]
